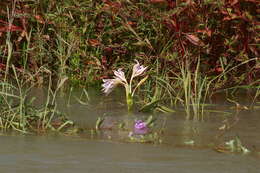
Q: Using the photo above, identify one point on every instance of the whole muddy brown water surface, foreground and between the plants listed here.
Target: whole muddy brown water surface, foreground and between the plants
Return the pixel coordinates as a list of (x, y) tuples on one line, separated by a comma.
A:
[(85, 153)]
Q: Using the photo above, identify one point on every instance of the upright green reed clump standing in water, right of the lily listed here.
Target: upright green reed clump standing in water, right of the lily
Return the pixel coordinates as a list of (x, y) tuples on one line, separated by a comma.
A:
[(193, 90)]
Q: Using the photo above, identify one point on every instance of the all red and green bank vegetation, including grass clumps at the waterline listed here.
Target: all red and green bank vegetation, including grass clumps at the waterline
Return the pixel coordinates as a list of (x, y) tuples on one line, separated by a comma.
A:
[(193, 49)]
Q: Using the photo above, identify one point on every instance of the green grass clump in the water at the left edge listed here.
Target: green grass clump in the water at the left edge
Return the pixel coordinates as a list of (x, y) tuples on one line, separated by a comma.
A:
[(19, 114)]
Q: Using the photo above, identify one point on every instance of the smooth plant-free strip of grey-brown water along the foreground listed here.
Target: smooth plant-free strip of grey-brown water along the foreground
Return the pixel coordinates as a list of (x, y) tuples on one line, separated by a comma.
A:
[(68, 154)]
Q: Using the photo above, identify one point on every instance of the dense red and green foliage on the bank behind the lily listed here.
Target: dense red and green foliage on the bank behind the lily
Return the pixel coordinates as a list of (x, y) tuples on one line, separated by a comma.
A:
[(83, 40)]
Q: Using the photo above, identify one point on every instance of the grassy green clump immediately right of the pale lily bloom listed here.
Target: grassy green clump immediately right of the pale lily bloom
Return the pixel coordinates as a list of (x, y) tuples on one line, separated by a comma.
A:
[(160, 93)]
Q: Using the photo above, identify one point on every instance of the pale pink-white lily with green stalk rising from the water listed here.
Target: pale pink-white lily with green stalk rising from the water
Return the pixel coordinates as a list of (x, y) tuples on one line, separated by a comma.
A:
[(119, 78)]
